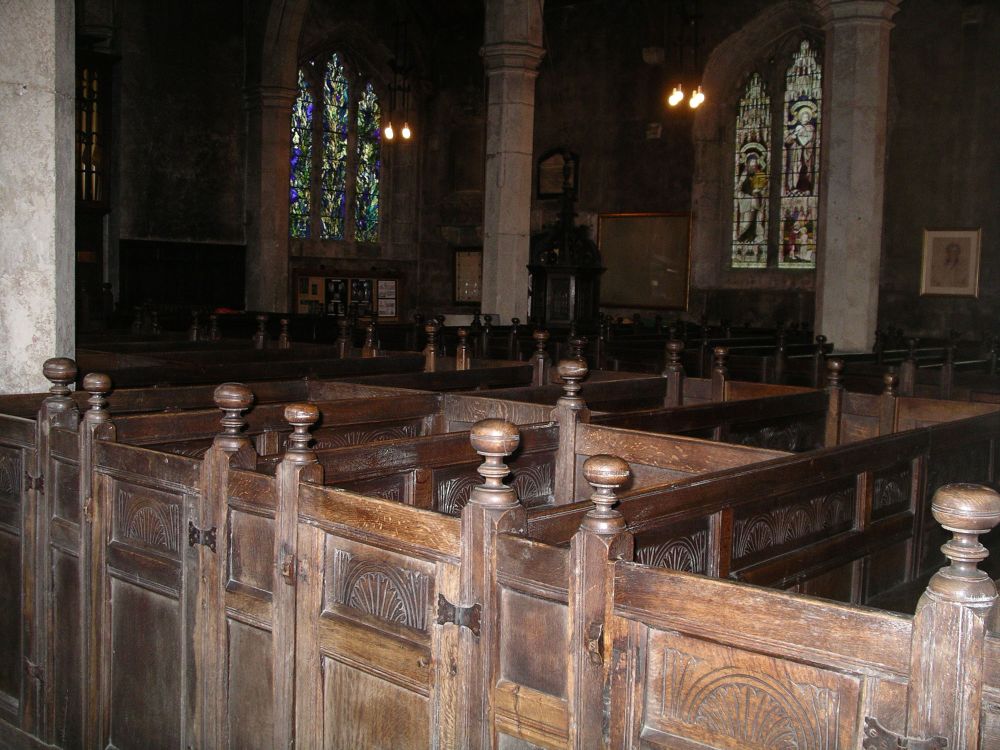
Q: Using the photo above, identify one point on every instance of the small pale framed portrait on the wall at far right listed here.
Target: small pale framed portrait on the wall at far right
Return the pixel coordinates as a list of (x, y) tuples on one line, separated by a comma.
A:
[(951, 262)]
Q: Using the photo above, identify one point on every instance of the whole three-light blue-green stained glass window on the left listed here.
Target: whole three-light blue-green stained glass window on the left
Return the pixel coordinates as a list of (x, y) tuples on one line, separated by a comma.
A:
[(344, 173)]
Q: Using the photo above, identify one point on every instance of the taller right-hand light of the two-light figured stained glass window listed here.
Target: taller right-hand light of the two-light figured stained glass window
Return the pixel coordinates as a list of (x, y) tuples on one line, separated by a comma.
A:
[(800, 161)]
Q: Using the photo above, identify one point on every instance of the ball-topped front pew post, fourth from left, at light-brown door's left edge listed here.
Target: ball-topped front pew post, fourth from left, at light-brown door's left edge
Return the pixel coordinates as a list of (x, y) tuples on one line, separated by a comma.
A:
[(299, 463)]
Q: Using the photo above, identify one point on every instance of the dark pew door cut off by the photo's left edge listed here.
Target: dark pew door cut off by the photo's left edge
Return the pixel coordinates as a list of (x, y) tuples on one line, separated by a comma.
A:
[(17, 500)]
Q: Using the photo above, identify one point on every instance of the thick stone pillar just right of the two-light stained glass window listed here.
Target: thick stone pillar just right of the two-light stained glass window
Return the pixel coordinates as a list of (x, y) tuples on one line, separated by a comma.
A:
[(856, 77)]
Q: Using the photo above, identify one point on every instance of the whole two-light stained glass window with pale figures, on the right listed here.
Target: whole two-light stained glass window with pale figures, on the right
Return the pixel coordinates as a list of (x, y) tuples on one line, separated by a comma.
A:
[(796, 185)]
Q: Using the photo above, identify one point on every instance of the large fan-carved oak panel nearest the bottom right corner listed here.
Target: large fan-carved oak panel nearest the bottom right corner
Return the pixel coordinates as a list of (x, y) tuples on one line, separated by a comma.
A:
[(728, 698)]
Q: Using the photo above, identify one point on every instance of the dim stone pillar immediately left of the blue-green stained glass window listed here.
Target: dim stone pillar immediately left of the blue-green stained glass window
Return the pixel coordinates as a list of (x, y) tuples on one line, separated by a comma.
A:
[(269, 111)]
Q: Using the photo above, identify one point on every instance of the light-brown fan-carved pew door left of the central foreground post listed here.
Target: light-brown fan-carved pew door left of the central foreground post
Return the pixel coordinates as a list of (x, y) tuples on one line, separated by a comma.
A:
[(373, 667)]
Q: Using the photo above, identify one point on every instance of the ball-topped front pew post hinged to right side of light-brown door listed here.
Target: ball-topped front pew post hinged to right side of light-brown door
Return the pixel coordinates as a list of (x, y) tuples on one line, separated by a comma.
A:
[(493, 508)]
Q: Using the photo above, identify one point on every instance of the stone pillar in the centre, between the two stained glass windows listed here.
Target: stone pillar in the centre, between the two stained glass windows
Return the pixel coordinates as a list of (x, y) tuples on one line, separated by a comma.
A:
[(512, 52)]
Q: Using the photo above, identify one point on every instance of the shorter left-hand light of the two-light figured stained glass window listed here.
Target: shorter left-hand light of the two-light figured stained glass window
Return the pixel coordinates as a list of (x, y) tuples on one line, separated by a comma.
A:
[(751, 189)]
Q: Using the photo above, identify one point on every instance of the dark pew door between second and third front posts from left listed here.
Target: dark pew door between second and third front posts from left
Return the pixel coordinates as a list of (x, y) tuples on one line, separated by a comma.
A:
[(142, 610)]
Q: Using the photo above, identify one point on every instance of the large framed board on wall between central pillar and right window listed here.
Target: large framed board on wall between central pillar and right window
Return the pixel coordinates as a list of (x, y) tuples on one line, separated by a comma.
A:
[(646, 256)]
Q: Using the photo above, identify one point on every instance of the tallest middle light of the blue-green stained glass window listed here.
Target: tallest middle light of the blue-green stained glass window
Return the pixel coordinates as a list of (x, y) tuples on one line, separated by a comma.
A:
[(336, 106)]
